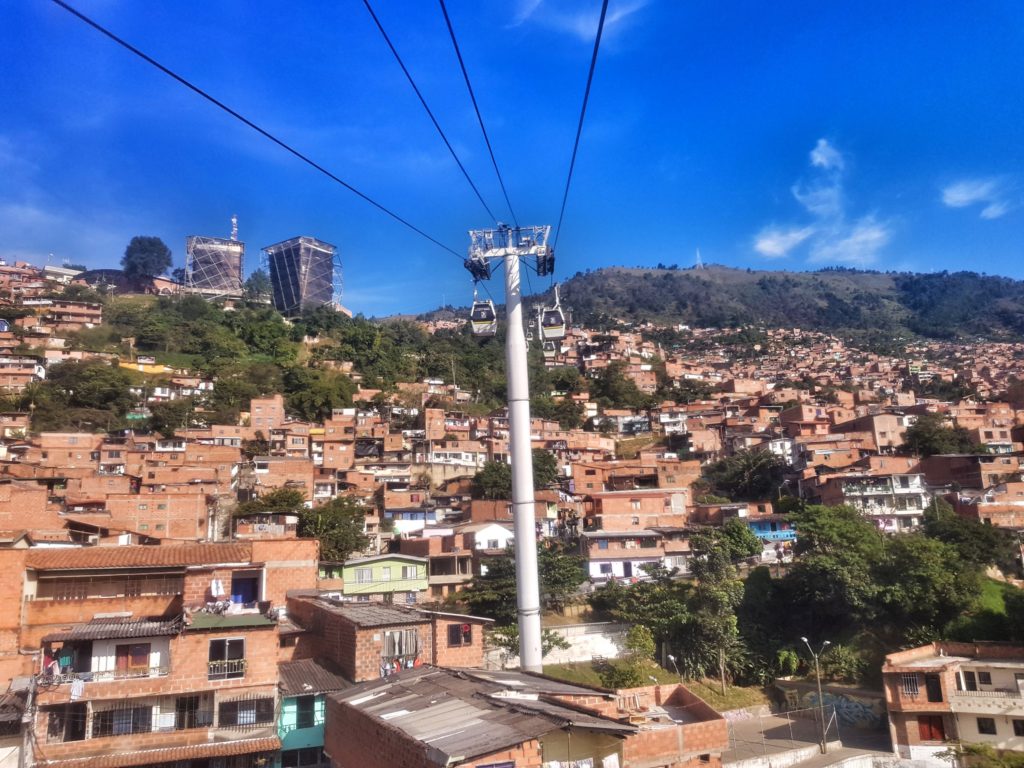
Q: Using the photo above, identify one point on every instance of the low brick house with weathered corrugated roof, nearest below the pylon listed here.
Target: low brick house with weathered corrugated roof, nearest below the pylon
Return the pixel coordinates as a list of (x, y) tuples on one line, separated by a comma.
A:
[(433, 717)]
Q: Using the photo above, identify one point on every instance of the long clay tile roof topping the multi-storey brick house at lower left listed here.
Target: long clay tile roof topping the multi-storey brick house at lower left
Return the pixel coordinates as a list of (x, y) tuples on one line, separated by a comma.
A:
[(139, 557)]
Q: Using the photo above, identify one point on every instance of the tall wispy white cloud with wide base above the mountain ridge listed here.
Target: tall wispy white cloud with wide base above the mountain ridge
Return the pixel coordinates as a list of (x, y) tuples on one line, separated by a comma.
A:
[(831, 237)]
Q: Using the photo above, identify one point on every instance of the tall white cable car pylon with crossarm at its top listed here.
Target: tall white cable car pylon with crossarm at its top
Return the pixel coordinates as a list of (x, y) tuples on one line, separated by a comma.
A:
[(513, 245)]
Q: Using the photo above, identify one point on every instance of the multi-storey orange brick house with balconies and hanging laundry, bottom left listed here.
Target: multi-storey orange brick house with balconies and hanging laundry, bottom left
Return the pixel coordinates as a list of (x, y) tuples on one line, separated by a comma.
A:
[(156, 655)]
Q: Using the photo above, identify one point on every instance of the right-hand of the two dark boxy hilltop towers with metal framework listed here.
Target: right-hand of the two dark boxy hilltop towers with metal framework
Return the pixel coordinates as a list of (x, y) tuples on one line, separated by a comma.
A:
[(306, 274)]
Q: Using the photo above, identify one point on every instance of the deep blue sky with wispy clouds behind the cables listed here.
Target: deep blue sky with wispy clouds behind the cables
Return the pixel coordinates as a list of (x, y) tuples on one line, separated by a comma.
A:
[(782, 136)]
